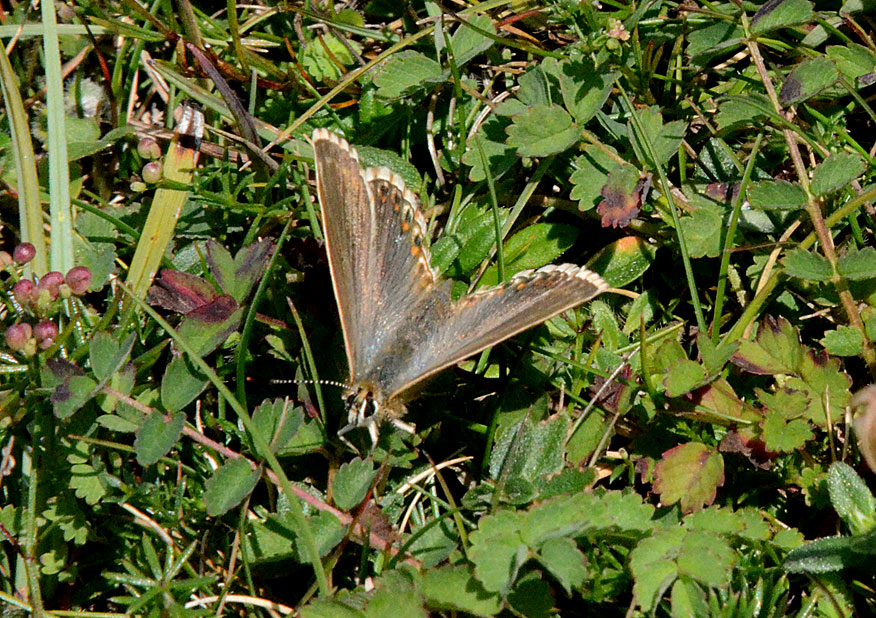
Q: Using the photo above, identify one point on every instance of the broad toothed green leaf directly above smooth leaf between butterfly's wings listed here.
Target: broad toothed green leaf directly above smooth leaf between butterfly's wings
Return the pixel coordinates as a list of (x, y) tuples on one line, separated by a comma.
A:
[(542, 130)]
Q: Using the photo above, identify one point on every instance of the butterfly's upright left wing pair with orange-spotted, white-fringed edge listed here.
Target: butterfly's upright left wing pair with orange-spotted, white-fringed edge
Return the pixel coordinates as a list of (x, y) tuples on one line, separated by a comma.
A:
[(379, 258)]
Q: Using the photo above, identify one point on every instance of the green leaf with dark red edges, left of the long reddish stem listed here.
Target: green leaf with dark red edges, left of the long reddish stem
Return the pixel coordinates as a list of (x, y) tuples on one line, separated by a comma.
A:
[(775, 350)]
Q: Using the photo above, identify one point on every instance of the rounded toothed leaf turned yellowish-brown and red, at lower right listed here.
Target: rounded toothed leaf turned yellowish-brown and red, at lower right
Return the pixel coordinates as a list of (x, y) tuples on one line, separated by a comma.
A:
[(689, 474)]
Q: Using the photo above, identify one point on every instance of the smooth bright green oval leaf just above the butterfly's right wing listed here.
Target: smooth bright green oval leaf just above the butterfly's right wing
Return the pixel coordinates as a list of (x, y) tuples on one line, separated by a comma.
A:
[(531, 248)]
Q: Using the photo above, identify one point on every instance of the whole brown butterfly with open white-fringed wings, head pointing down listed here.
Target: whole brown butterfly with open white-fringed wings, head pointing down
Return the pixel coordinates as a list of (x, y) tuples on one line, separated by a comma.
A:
[(399, 321)]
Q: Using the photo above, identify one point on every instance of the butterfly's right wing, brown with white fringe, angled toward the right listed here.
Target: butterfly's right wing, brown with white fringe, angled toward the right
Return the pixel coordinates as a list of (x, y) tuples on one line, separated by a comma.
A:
[(490, 316)]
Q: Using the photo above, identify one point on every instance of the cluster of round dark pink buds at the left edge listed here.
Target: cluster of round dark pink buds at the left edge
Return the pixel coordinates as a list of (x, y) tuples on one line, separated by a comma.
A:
[(38, 298)]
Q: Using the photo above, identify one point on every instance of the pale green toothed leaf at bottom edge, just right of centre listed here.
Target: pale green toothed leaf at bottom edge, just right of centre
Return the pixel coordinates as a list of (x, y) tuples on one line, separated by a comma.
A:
[(454, 588)]
